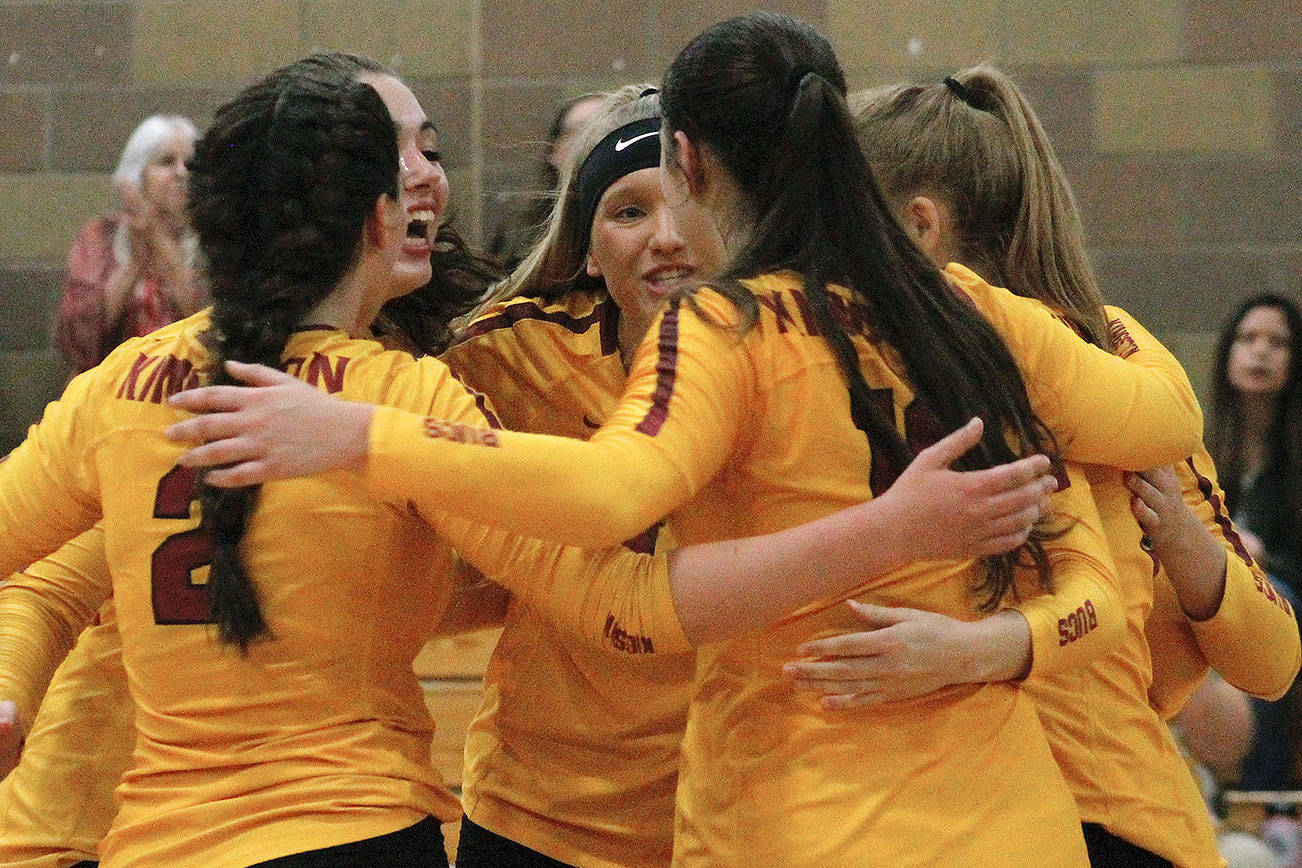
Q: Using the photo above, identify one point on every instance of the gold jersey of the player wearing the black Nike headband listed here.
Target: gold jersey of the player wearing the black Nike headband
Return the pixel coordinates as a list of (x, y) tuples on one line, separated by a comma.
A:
[(574, 753)]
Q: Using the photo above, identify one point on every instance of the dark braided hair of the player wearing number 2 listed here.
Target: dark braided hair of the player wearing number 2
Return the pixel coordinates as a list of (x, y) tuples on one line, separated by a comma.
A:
[(281, 189)]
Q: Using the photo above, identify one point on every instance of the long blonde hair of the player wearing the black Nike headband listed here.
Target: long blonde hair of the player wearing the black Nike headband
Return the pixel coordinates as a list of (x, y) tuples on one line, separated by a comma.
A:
[(557, 264)]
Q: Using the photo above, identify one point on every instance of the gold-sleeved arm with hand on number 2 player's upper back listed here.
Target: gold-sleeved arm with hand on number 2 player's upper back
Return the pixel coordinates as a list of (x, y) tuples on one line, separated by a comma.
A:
[(688, 396)]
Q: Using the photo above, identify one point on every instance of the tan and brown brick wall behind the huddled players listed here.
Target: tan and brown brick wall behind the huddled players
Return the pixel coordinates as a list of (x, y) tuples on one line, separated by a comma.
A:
[(1179, 120)]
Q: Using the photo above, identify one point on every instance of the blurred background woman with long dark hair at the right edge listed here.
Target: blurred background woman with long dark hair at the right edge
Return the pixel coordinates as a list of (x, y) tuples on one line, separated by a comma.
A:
[(1256, 437)]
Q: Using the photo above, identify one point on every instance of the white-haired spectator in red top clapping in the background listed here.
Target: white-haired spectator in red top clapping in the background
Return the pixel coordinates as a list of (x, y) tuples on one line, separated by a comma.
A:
[(131, 271)]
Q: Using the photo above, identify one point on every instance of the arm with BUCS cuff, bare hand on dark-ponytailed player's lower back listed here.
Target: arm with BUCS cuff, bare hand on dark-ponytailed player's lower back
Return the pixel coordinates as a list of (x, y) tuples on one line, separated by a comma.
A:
[(908, 653)]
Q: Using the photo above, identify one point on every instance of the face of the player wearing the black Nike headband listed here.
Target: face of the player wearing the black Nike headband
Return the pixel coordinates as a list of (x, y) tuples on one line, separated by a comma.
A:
[(637, 249)]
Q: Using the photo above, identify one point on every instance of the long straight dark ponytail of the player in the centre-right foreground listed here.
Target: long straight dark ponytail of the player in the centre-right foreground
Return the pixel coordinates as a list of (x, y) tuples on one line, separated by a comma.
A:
[(766, 94)]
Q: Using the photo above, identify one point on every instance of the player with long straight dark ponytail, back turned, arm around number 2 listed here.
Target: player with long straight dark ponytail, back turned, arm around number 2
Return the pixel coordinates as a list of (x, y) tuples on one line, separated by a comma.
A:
[(769, 167)]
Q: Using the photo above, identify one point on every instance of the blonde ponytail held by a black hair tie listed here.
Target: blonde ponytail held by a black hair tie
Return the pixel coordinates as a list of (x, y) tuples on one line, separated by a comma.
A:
[(975, 142)]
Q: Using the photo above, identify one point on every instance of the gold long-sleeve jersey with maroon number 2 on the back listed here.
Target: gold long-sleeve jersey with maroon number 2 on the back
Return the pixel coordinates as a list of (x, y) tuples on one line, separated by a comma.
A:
[(320, 736)]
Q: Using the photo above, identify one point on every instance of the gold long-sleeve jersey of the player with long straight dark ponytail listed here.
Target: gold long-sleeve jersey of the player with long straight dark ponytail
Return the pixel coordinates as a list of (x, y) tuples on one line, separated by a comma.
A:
[(736, 435)]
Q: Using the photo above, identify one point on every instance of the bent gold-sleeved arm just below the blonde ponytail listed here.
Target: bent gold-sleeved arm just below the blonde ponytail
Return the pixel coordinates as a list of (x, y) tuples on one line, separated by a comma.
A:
[(1133, 411)]
